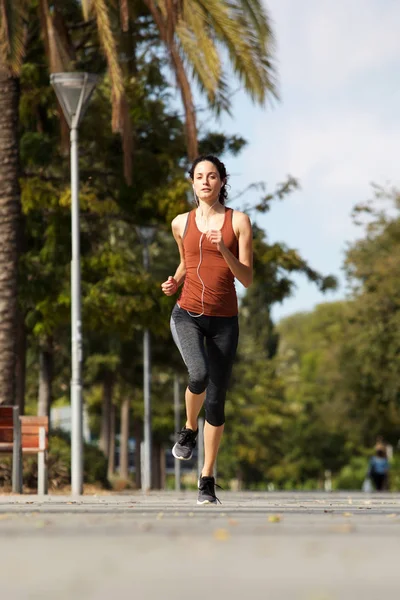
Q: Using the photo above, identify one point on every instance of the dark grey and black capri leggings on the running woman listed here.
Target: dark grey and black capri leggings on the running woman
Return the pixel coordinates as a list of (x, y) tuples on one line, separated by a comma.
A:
[(208, 347)]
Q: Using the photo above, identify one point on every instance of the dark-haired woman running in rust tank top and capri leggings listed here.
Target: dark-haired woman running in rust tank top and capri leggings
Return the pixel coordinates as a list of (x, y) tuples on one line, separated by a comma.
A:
[(215, 247)]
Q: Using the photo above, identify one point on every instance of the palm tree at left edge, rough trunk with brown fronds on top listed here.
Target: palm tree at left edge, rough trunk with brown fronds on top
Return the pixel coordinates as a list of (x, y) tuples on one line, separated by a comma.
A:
[(11, 55)]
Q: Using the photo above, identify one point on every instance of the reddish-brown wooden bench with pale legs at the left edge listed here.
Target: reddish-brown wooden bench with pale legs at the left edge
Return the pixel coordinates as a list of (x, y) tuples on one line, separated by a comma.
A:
[(24, 435)]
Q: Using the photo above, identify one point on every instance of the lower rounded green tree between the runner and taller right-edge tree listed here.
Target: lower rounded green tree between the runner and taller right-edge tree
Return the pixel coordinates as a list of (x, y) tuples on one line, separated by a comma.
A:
[(309, 364)]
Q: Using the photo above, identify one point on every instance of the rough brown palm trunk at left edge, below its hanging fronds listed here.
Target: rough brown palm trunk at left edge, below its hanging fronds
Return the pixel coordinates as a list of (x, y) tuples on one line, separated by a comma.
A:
[(10, 212)]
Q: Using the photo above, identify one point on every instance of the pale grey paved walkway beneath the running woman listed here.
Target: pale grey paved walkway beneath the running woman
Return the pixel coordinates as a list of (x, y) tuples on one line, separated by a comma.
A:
[(275, 546)]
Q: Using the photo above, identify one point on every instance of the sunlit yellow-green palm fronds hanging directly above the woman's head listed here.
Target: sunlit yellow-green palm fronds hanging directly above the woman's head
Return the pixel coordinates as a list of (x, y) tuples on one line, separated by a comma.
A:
[(195, 33)]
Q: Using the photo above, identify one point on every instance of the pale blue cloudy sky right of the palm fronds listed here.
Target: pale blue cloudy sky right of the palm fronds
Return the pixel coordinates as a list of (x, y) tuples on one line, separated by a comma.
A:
[(336, 129)]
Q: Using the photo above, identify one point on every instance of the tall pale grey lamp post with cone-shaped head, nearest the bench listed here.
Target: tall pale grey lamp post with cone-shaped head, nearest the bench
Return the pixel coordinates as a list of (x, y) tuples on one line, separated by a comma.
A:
[(73, 91)]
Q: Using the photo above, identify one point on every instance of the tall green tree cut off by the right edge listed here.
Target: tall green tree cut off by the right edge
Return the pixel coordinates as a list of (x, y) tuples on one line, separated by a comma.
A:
[(371, 352)]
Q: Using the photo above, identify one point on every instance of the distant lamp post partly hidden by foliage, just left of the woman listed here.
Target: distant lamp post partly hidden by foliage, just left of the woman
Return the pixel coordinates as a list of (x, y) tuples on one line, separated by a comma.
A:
[(146, 235)]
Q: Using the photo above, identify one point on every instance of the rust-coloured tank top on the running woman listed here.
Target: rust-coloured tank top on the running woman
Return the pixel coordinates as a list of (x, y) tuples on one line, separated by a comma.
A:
[(220, 298)]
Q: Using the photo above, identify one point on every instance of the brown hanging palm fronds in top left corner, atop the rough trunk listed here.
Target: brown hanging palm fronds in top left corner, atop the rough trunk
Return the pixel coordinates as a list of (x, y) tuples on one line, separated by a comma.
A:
[(12, 33)]
